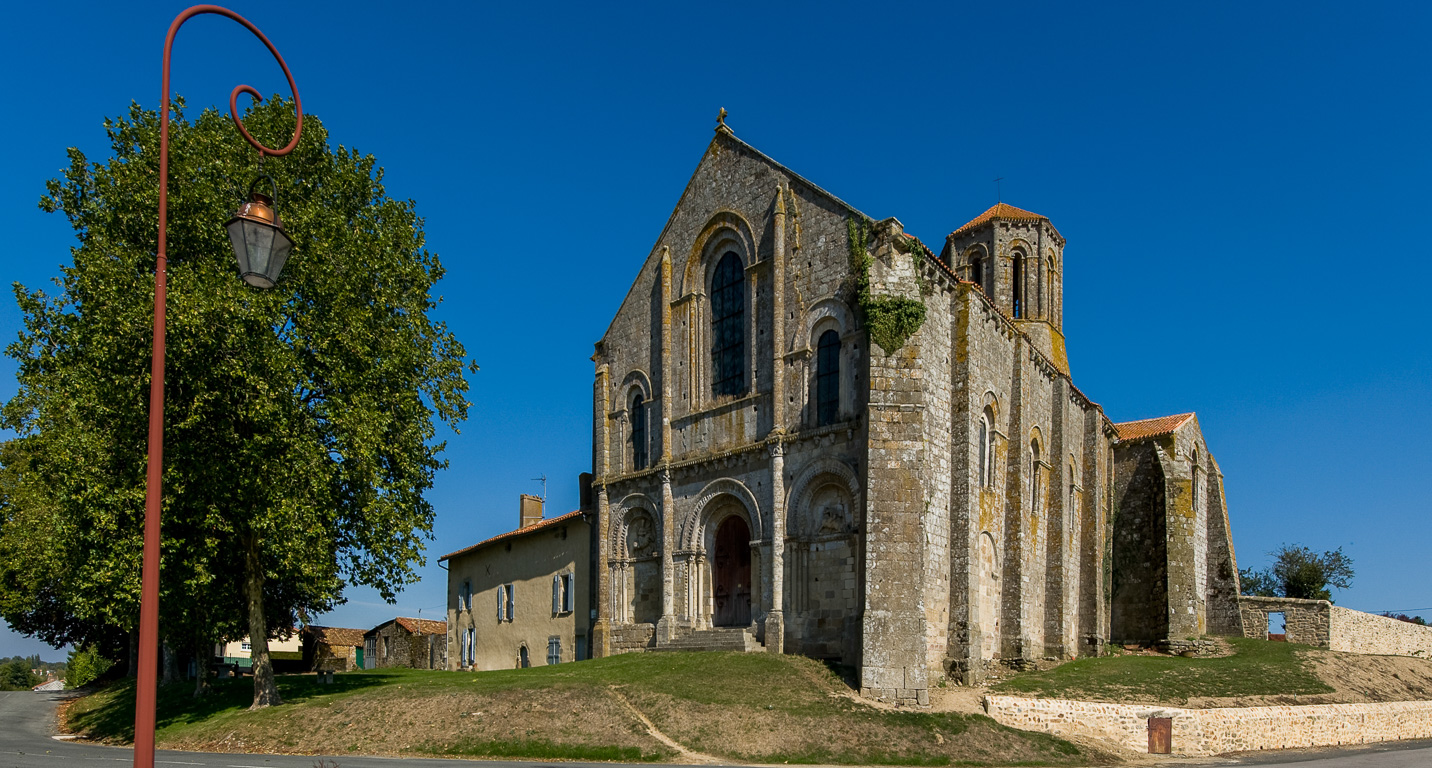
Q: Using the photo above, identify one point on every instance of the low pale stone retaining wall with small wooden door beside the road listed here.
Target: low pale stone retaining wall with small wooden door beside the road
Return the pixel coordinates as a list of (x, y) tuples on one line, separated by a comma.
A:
[(1219, 731)]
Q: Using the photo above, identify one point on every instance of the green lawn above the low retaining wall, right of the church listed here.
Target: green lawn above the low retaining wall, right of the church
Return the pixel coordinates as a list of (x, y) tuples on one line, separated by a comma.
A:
[(1257, 668)]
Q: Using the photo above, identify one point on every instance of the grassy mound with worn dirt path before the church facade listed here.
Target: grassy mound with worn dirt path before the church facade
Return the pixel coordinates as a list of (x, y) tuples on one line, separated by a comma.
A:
[(741, 707)]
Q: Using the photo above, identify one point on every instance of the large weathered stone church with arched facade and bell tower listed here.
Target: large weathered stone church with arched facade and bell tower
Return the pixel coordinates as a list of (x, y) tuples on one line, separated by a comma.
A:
[(816, 435)]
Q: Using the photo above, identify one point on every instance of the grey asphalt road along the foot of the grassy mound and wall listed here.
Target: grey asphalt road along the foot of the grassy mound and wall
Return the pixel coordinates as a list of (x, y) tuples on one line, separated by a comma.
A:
[(28, 741)]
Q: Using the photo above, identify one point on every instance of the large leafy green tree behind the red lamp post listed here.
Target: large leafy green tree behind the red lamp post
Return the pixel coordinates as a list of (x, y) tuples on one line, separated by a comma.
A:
[(300, 423)]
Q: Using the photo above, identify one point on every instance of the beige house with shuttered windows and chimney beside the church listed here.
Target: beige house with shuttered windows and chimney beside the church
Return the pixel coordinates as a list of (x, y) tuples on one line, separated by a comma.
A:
[(521, 600)]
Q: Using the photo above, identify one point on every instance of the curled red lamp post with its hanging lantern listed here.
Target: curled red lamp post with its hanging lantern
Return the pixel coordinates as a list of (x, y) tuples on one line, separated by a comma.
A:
[(254, 230)]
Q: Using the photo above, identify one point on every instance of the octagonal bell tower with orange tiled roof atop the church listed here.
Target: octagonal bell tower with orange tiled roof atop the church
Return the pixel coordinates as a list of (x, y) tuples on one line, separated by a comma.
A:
[(1017, 259)]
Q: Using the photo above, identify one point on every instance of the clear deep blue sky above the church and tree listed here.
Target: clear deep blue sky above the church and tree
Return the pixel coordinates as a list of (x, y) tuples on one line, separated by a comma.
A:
[(1241, 187)]
